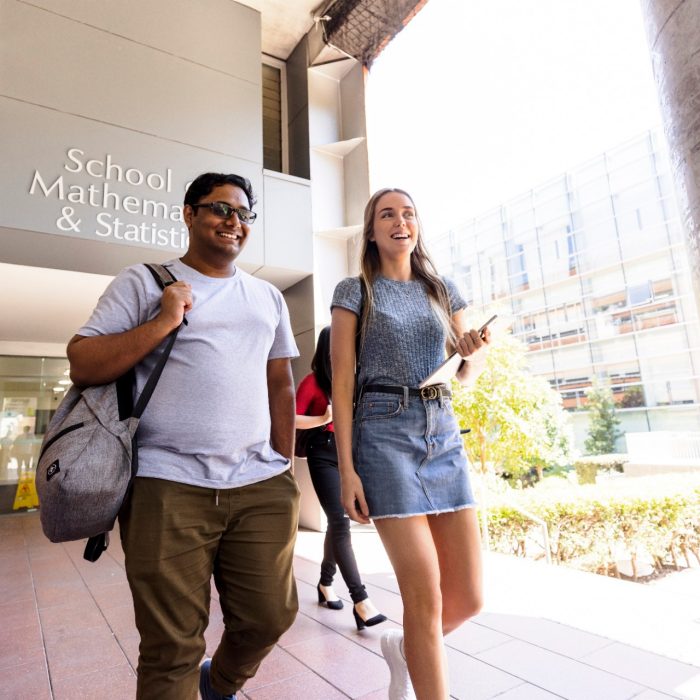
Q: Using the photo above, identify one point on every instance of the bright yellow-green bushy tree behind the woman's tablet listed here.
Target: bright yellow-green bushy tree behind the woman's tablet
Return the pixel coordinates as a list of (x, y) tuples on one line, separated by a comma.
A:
[(516, 419)]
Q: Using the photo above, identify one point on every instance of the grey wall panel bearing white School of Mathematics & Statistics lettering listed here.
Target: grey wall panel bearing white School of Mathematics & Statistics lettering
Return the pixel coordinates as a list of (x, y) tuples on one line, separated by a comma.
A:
[(75, 178)]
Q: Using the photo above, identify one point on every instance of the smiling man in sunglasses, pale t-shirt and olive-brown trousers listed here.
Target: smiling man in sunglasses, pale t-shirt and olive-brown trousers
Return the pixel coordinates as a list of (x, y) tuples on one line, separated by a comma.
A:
[(214, 492)]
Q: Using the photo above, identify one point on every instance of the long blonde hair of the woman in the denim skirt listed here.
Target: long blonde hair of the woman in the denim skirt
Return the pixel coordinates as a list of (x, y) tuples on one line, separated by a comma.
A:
[(422, 268)]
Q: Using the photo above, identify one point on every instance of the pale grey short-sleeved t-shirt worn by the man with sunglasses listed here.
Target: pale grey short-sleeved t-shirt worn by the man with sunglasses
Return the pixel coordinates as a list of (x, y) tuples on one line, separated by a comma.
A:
[(208, 421)]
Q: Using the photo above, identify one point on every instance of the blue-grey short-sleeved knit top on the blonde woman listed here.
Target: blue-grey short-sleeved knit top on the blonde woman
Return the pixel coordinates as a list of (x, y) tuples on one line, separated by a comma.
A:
[(405, 340)]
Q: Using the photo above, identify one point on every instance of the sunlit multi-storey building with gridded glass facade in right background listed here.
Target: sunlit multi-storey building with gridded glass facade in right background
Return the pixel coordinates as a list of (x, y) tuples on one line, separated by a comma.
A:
[(592, 271)]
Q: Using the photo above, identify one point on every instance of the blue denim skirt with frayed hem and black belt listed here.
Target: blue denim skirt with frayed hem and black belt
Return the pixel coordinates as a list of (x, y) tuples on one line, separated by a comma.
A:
[(409, 455)]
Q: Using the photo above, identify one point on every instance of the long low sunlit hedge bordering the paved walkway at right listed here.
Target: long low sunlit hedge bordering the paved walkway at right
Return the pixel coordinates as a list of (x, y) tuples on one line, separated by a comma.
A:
[(588, 525)]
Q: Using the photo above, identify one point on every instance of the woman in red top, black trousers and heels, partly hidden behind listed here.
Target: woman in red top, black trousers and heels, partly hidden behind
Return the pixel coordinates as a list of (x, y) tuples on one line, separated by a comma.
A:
[(314, 411)]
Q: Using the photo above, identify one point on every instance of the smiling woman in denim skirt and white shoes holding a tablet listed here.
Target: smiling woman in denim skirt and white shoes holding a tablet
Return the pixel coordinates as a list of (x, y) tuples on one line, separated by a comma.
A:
[(400, 455)]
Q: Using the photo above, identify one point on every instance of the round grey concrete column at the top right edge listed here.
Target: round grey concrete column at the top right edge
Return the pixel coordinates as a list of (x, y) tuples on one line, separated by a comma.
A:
[(673, 31)]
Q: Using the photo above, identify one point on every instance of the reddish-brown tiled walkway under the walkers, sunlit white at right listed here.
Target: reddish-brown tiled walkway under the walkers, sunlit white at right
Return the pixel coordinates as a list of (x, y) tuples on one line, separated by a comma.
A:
[(67, 631)]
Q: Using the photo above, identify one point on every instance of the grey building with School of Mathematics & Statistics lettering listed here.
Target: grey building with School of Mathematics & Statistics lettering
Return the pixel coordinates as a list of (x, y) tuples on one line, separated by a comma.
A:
[(109, 110)]
